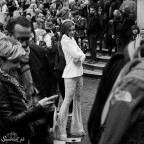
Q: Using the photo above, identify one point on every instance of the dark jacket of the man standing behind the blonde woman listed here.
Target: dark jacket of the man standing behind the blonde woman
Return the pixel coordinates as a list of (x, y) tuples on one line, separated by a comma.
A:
[(41, 70)]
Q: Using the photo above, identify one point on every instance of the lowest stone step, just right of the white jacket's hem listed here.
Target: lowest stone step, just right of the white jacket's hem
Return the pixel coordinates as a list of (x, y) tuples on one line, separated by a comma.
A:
[(94, 74)]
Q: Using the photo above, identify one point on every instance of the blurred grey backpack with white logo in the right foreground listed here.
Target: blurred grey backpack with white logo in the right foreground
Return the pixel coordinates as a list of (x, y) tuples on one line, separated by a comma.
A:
[(134, 70)]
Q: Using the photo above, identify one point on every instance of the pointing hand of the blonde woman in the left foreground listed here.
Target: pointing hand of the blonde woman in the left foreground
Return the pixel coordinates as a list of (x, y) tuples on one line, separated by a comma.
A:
[(48, 103)]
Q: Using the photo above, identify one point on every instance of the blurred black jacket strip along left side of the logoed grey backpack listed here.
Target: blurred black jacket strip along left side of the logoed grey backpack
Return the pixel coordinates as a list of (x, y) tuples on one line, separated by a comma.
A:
[(110, 74)]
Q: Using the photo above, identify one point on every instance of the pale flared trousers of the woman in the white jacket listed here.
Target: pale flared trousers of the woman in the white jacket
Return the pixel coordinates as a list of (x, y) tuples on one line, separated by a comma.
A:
[(73, 91)]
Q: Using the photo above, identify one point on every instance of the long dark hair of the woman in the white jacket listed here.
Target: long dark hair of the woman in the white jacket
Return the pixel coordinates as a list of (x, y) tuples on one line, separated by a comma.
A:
[(65, 27)]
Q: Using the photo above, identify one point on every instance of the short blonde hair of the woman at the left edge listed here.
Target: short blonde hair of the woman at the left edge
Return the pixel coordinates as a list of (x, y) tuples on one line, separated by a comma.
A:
[(10, 48)]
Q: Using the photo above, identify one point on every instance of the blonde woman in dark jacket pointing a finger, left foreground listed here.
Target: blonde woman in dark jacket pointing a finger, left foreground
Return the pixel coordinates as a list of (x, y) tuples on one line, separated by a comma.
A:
[(17, 117)]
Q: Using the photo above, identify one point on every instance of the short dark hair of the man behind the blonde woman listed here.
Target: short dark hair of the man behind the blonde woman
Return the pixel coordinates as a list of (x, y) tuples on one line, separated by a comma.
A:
[(21, 20)]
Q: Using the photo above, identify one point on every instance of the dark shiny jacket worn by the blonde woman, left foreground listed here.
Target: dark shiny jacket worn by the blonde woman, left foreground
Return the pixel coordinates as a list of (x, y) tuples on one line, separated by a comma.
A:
[(14, 117)]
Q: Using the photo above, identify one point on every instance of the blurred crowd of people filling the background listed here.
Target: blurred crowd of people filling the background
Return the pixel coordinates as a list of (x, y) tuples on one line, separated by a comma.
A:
[(104, 23)]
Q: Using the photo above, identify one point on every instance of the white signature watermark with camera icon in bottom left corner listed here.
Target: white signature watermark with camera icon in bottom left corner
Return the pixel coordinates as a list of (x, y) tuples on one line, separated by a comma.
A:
[(13, 137)]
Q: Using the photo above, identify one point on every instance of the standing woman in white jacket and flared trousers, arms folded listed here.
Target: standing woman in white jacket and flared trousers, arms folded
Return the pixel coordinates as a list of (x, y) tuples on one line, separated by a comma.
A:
[(73, 83)]
